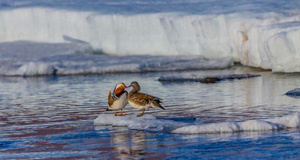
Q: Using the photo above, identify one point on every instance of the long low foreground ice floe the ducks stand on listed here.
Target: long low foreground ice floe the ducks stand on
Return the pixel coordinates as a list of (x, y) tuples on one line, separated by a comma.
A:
[(150, 123)]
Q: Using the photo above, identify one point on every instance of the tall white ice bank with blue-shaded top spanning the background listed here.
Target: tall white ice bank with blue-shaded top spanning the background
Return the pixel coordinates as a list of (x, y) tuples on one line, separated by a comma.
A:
[(256, 33)]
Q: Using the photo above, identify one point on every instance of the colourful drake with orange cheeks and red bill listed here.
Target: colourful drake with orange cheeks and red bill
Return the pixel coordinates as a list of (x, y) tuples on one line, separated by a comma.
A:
[(119, 99)]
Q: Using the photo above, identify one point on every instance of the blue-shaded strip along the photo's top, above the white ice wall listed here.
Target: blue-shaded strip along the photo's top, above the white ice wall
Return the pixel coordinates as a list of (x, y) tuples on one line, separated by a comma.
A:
[(157, 6)]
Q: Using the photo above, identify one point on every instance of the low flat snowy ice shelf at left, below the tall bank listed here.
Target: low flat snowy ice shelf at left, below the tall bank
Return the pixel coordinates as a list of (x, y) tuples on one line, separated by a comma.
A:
[(23, 58)]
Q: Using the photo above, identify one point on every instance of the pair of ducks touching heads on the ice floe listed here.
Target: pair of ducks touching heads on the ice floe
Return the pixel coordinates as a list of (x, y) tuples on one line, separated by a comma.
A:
[(119, 99)]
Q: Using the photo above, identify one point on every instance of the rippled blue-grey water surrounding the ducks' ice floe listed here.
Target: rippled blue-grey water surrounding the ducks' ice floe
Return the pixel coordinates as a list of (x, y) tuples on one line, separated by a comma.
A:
[(52, 117)]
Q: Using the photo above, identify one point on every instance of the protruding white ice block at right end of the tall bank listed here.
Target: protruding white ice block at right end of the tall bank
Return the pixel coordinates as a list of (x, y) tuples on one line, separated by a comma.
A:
[(275, 46)]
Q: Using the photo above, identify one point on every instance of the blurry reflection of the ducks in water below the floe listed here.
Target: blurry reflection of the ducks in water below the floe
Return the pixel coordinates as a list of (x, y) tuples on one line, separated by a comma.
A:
[(129, 144)]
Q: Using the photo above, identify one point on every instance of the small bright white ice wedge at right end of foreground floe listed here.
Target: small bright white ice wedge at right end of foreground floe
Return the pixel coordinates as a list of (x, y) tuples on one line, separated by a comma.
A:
[(291, 121)]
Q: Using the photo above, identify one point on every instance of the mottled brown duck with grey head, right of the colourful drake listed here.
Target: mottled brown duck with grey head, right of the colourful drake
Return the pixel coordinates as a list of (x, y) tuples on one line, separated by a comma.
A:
[(142, 101)]
